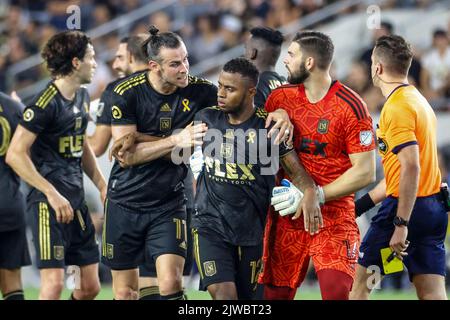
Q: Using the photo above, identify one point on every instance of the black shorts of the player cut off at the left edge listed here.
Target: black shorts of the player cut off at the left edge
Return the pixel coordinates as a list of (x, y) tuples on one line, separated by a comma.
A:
[(14, 249)]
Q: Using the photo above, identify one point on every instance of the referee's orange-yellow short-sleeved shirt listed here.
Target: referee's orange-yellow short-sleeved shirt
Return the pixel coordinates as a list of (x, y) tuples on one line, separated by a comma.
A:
[(406, 119)]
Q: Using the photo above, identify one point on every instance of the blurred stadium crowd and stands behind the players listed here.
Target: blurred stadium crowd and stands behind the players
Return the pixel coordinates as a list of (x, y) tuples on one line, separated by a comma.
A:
[(214, 32)]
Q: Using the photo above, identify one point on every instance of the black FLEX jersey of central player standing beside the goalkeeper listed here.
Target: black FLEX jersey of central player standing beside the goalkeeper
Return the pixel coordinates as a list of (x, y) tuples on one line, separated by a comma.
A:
[(235, 185)]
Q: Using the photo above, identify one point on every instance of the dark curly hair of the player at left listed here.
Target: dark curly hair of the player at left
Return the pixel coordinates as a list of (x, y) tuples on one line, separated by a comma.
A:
[(62, 48)]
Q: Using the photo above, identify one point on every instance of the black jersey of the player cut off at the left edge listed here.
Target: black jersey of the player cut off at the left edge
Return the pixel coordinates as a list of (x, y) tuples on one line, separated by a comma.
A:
[(11, 200)]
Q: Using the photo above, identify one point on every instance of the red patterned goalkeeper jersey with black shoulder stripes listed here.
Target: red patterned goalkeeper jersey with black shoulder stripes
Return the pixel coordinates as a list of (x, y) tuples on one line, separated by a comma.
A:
[(326, 132)]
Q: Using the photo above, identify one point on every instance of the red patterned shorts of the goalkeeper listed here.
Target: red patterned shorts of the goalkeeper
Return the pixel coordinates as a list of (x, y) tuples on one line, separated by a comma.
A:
[(288, 247)]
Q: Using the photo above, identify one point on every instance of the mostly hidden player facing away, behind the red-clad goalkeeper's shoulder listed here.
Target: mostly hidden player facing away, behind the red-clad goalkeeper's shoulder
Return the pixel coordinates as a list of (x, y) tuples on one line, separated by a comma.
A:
[(263, 48)]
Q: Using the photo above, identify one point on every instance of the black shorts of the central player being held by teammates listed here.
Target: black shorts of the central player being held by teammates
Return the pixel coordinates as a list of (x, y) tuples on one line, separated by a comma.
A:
[(219, 261)]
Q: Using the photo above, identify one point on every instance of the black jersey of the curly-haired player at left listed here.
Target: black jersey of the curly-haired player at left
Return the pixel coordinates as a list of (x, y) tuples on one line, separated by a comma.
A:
[(61, 126)]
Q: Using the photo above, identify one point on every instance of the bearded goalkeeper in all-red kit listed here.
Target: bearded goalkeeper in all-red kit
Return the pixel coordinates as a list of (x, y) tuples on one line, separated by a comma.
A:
[(333, 137)]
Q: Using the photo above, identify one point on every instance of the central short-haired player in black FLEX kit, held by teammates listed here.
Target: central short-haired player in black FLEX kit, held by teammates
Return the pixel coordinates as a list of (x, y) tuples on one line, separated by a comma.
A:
[(233, 191)]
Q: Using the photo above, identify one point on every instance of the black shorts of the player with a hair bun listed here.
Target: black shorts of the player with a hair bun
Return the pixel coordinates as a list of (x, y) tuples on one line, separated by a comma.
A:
[(131, 239)]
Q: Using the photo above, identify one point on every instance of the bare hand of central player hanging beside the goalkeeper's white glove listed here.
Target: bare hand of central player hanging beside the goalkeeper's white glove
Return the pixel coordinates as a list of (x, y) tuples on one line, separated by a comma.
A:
[(310, 207)]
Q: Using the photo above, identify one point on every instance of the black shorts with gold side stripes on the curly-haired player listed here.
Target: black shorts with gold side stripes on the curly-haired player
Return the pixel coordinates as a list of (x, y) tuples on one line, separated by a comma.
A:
[(62, 244)]
